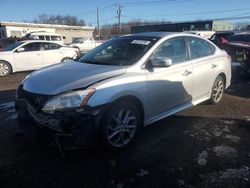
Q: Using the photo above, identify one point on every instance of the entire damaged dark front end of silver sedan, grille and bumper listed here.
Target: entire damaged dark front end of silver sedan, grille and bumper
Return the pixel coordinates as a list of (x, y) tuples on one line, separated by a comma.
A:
[(71, 128)]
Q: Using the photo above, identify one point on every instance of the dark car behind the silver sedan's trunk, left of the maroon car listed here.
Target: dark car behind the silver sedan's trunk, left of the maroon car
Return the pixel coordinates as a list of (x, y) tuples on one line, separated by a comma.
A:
[(221, 37)]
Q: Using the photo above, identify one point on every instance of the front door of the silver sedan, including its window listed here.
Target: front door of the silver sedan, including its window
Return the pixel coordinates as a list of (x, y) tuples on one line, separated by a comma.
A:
[(170, 87)]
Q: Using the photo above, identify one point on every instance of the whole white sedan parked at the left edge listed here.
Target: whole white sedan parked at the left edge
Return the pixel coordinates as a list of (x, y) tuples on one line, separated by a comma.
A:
[(33, 54)]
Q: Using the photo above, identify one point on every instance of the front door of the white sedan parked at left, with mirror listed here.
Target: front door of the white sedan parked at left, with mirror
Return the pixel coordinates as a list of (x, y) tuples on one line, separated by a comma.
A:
[(29, 59)]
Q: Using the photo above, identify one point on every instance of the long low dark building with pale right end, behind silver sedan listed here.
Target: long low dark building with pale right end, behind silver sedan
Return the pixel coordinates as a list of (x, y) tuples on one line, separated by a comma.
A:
[(209, 25)]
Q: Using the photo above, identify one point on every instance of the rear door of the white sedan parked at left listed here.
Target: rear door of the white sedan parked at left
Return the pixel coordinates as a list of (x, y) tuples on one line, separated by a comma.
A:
[(51, 53)]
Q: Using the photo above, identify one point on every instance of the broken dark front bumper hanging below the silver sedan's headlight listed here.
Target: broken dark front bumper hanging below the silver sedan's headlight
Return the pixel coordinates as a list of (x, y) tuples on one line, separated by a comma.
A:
[(70, 128)]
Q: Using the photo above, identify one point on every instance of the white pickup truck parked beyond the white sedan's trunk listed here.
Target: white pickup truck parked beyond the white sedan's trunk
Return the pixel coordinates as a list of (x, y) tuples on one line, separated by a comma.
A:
[(84, 44)]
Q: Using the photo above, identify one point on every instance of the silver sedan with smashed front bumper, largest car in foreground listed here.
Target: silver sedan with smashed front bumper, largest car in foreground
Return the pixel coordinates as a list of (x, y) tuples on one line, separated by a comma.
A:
[(122, 85)]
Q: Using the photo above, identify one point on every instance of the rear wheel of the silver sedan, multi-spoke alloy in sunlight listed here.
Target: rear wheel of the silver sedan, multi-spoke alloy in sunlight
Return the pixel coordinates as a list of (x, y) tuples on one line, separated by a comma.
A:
[(217, 90)]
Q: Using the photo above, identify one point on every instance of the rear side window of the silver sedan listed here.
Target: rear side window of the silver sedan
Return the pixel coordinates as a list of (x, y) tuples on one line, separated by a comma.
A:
[(199, 47)]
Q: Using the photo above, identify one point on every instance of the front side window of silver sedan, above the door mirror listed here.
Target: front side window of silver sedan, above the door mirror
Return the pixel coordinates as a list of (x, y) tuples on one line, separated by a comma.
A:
[(173, 49)]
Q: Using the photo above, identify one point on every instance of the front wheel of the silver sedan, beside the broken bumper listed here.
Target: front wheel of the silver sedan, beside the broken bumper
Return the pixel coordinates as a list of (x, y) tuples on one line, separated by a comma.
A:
[(120, 125)]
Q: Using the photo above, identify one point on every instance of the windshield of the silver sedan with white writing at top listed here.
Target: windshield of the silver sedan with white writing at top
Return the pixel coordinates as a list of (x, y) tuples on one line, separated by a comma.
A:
[(121, 51)]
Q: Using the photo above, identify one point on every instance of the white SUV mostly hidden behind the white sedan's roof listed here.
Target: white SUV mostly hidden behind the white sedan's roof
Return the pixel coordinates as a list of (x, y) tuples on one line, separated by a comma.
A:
[(42, 35)]
